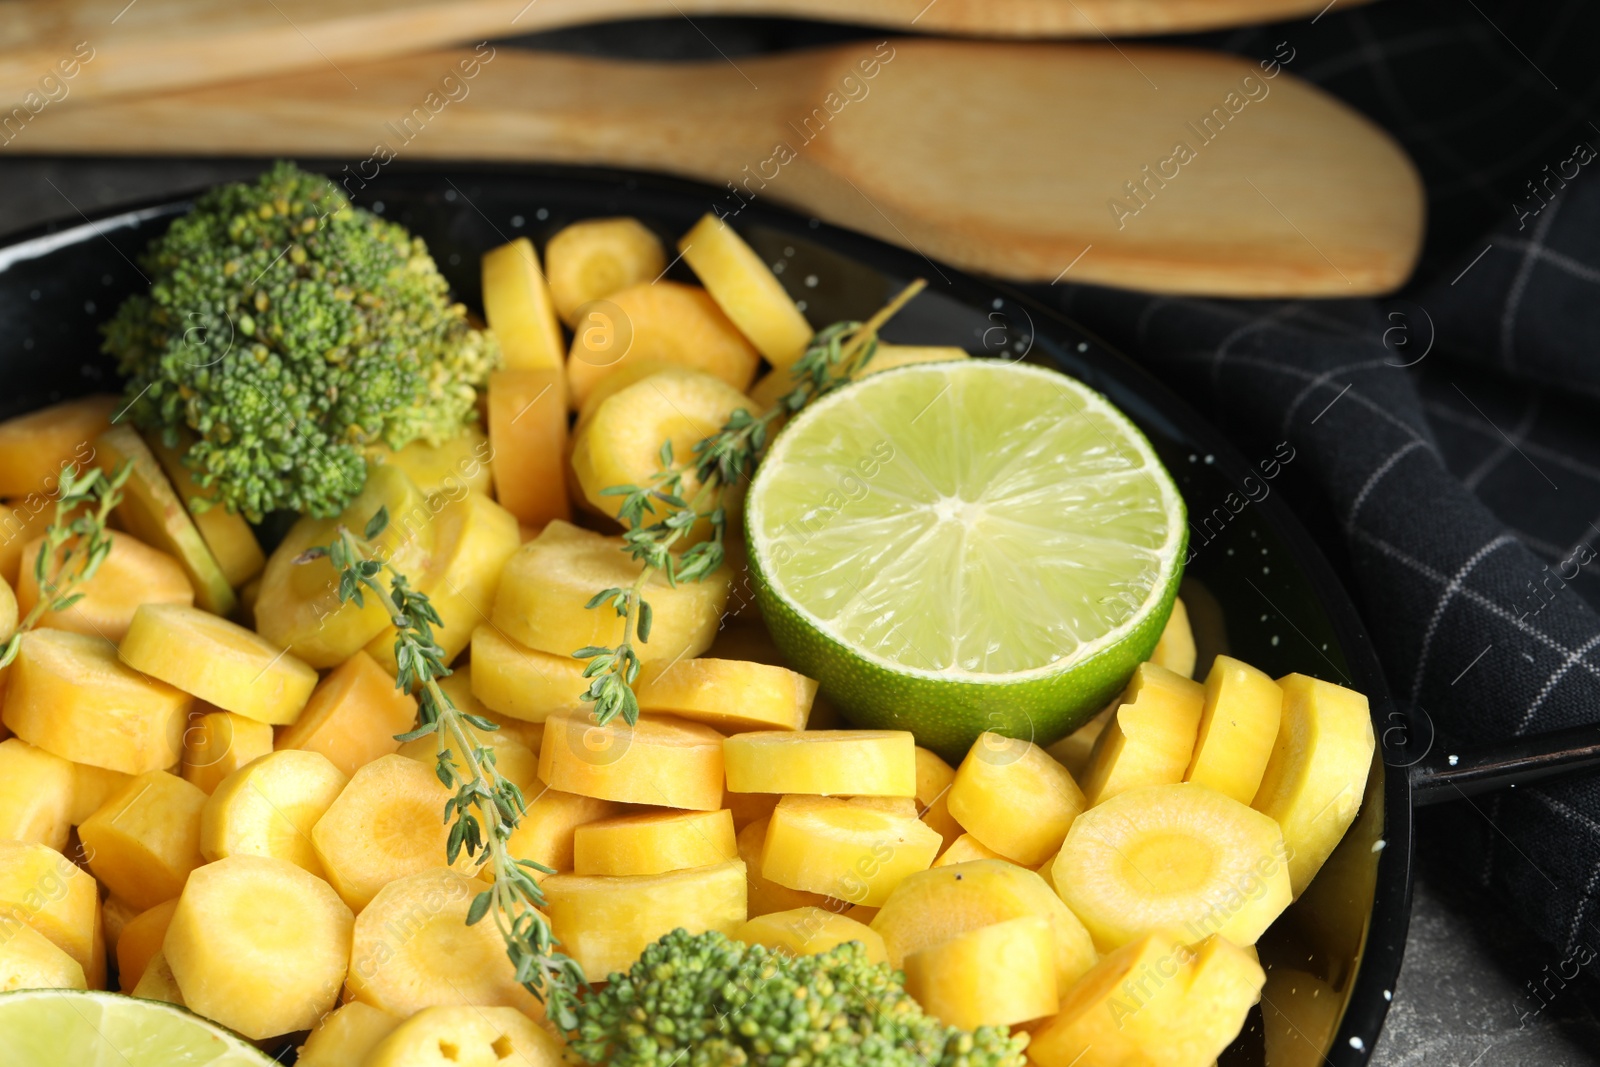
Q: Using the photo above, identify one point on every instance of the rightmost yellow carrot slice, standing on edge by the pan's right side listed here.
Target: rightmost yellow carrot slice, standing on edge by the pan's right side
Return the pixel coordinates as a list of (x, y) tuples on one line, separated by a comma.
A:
[(1318, 773)]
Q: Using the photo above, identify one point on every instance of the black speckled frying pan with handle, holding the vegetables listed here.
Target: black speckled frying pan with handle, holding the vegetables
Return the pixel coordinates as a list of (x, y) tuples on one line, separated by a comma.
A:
[(1258, 586)]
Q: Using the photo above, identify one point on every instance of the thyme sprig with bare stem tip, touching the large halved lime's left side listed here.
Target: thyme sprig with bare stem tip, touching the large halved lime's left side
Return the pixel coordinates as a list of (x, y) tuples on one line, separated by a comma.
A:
[(663, 513)]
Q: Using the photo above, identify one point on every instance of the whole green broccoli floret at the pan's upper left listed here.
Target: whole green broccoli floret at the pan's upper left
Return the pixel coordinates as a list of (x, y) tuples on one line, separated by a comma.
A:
[(284, 332)]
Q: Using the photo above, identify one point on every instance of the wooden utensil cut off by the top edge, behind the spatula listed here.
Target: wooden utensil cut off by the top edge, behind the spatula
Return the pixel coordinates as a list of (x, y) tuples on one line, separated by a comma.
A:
[(153, 46)]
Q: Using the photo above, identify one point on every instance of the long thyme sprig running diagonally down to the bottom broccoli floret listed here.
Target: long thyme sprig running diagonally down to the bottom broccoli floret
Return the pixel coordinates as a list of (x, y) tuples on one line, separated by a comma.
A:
[(487, 807)]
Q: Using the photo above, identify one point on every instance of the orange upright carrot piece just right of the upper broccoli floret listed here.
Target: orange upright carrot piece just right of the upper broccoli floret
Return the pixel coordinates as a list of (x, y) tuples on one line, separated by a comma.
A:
[(527, 414)]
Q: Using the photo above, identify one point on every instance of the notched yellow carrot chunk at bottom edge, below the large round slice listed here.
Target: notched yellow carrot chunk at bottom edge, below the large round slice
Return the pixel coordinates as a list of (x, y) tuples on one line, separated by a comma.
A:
[(1153, 1002)]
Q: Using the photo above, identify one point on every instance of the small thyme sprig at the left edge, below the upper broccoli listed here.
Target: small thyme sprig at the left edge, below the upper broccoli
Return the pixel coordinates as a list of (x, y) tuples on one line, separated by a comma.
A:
[(82, 543)]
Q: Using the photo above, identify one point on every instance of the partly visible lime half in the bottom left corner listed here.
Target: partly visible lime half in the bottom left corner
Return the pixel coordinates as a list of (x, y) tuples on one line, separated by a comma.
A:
[(54, 1028)]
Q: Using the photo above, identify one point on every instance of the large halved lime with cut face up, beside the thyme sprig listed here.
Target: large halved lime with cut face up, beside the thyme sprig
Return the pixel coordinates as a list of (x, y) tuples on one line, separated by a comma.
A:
[(956, 548)]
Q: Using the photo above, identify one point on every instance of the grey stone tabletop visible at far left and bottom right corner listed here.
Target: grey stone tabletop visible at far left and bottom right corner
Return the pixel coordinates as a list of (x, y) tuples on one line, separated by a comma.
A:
[(1466, 981)]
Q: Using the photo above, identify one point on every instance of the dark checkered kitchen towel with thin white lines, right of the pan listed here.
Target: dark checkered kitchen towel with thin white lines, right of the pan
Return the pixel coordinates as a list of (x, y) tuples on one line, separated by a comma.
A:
[(1454, 436)]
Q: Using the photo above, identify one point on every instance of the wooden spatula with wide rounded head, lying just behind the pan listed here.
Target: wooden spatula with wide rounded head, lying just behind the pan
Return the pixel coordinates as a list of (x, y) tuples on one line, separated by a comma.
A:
[(1153, 169)]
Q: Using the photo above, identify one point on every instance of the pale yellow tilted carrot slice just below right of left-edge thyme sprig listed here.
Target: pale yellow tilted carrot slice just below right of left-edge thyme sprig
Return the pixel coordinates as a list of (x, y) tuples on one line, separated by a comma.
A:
[(218, 661)]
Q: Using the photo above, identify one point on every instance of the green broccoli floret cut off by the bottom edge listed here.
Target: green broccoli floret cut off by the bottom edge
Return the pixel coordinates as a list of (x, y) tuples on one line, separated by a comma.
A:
[(703, 1001)]
